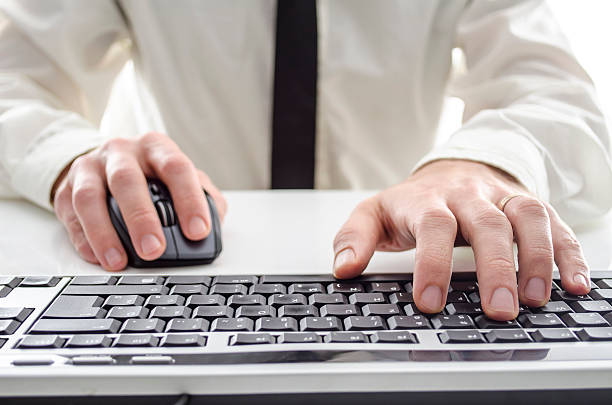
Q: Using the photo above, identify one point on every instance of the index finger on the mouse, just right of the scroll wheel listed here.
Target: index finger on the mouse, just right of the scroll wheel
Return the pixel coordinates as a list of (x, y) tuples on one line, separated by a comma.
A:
[(179, 175)]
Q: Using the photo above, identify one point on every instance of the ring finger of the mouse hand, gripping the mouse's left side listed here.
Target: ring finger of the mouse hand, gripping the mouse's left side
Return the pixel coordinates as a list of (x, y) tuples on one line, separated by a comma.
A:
[(89, 202)]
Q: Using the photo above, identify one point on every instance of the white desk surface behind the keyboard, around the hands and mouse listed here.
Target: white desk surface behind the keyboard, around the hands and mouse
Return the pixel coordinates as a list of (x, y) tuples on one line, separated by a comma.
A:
[(265, 232)]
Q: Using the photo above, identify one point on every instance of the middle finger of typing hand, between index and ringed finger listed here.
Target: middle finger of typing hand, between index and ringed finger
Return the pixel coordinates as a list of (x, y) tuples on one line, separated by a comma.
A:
[(489, 233)]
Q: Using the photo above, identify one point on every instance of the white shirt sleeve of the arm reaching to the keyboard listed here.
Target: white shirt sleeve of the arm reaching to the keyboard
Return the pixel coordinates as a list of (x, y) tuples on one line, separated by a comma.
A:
[(530, 108)]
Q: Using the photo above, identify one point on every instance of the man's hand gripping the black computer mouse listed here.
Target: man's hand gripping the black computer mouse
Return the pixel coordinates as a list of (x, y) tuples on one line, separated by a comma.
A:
[(122, 165)]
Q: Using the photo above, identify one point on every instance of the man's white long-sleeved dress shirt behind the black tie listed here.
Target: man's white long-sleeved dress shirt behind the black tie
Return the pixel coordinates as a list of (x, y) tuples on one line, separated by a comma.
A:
[(384, 68)]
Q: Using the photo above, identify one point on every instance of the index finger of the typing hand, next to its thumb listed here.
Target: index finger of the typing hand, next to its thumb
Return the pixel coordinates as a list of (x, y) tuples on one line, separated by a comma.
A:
[(435, 230)]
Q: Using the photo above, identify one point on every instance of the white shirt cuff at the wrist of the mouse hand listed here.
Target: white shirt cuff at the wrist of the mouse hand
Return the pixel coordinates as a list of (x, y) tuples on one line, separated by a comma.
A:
[(38, 172)]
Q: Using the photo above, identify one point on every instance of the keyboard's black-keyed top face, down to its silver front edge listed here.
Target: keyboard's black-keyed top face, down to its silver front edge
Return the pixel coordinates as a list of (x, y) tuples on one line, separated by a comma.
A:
[(151, 319)]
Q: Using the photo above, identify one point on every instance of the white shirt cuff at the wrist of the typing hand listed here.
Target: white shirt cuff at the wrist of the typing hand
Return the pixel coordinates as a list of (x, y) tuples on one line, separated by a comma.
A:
[(506, 150)]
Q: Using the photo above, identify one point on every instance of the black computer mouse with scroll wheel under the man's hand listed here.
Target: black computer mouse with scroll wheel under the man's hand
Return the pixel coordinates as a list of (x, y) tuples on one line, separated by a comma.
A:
[(180, 251)]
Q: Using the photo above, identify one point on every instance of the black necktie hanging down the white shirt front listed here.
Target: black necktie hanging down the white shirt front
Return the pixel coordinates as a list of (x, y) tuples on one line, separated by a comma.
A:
[(295, 95)]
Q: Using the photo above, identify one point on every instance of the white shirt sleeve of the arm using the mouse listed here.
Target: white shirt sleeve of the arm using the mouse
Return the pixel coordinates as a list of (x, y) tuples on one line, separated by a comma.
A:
[(58, 62)]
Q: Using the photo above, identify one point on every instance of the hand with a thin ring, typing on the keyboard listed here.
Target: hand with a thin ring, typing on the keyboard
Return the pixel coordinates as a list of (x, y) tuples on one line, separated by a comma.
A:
[(454, 202)]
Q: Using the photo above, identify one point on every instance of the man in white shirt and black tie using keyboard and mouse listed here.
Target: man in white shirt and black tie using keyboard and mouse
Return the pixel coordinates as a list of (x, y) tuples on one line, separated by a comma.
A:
[(533, 136)]
